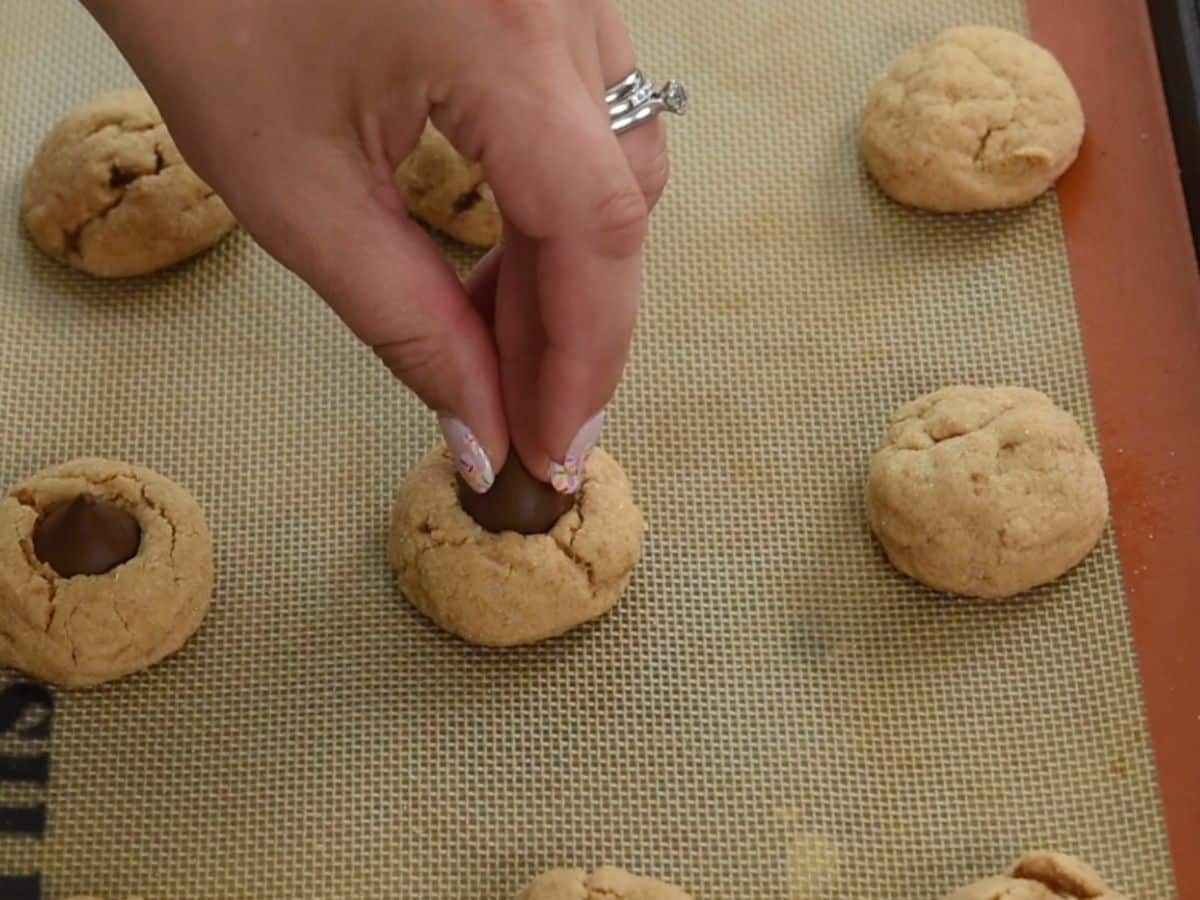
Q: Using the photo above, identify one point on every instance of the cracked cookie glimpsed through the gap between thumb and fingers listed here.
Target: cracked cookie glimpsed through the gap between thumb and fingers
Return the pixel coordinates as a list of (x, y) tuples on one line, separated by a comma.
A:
[(448, 193)]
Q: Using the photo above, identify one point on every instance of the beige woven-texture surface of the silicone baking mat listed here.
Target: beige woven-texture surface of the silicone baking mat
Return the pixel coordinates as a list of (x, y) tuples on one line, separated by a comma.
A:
[(771, 713)]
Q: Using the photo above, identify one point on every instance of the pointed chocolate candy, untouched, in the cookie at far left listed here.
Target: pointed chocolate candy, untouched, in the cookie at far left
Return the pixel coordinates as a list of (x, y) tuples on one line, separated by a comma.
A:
[(87, 537)]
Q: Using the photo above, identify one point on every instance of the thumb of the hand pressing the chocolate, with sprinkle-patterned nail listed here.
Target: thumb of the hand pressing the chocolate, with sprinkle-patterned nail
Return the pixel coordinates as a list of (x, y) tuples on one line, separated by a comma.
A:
[(391, 284)]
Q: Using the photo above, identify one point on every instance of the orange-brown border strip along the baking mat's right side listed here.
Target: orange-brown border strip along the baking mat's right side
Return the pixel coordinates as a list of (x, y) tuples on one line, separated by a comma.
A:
[(1138, 293)]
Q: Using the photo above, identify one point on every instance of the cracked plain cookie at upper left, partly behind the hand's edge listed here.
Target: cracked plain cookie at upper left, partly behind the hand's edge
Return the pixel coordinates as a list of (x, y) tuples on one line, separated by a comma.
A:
[(109, 193)]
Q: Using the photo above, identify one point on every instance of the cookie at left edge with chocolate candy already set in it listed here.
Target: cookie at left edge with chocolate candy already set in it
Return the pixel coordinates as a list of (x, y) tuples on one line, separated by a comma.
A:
[(80, 604)]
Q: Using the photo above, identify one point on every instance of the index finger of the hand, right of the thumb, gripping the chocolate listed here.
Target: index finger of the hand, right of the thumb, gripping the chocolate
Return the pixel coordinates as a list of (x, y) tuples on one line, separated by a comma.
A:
[(563, 181)]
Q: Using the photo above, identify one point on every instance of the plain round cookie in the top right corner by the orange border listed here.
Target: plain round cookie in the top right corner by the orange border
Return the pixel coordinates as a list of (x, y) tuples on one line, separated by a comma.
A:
[(976, 119)]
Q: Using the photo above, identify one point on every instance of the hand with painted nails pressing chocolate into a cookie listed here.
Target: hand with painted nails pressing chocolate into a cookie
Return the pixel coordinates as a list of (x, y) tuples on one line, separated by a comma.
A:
[(298, 113)]
